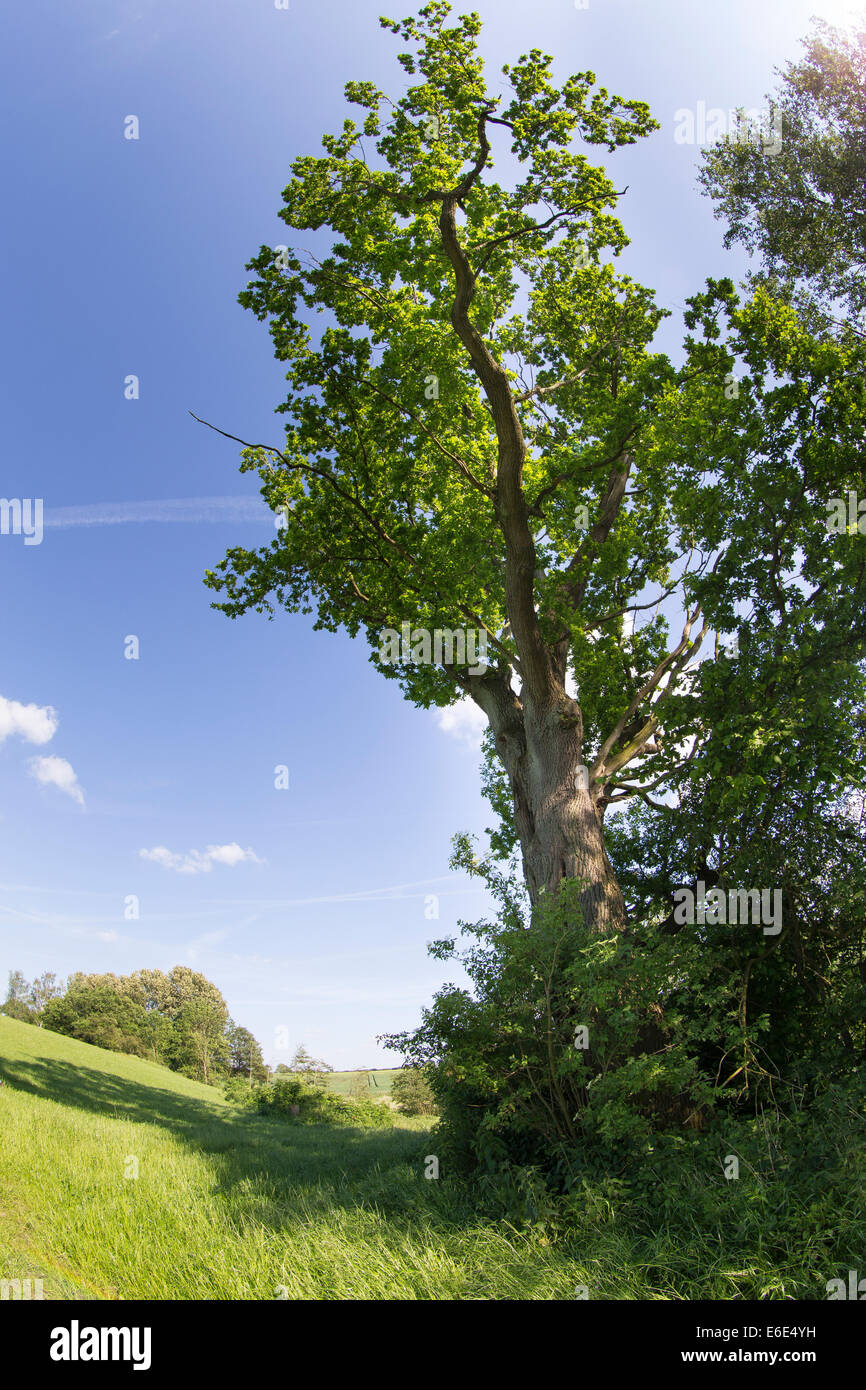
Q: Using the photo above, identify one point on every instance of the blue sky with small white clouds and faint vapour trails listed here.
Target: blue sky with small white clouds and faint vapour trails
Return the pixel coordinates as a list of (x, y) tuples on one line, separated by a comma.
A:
[(309, 907)]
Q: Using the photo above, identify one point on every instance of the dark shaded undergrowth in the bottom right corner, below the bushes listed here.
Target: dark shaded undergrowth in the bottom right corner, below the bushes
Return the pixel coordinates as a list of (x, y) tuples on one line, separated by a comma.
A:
[(776, 1225)]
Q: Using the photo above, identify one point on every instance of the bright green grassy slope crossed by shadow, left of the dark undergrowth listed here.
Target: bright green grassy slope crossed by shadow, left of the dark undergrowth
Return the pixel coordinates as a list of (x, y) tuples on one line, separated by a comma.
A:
[(227, 1204)]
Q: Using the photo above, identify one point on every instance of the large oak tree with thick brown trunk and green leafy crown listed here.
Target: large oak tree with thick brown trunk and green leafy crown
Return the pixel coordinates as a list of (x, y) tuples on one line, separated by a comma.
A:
[(482, 437)]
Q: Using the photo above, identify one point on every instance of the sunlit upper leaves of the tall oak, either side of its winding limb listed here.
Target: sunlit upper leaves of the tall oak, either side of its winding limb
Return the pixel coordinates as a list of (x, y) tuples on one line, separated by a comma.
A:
[(386, 487)]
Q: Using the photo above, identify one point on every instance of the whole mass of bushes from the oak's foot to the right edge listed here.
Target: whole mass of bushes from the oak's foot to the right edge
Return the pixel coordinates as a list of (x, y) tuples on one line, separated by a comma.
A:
[(579, 1058)]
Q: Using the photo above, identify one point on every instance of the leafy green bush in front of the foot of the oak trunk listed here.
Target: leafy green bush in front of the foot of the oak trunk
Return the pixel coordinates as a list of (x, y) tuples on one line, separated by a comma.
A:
[(575, 1043)]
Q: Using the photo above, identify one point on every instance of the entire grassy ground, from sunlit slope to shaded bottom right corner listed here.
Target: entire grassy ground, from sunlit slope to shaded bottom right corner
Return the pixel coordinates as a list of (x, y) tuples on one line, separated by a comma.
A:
[(233, 1206)]
